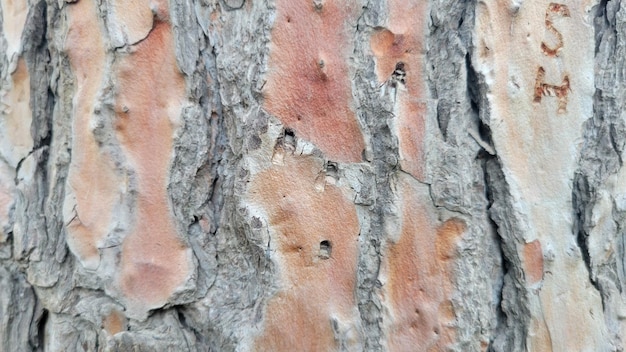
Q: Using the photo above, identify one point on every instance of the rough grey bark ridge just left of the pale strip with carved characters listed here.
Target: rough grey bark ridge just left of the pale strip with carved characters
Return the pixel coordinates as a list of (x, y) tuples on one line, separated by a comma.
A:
[(461, 97)]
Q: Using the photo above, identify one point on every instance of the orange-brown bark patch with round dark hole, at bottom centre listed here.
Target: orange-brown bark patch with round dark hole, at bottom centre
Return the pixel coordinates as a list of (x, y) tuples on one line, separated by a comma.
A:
[(318, 278)]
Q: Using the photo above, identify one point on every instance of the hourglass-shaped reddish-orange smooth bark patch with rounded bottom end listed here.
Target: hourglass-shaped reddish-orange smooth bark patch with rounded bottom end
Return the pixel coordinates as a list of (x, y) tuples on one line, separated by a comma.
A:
[(151, 91)]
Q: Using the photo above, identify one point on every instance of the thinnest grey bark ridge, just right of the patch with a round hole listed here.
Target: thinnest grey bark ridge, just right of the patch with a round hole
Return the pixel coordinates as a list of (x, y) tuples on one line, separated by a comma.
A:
[(383, 158)]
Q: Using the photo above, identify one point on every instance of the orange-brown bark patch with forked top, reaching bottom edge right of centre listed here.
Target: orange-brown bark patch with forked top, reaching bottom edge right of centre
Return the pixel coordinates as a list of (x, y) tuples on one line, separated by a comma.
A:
[(420, 277)]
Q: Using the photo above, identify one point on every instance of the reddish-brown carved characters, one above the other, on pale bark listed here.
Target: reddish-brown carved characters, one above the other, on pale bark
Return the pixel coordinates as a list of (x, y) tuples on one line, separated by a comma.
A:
[(542, 88)]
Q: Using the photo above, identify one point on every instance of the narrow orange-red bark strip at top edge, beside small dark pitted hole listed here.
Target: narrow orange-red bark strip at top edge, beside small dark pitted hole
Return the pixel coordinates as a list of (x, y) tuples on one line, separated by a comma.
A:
[(402, 41)]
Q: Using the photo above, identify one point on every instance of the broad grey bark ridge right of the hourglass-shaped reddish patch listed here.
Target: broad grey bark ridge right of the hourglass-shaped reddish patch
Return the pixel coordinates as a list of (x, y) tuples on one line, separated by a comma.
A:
[(239, 264)]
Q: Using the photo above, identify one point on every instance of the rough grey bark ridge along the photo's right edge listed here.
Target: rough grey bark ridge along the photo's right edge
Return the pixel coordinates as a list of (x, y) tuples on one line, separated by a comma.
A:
[(600, 162)]
